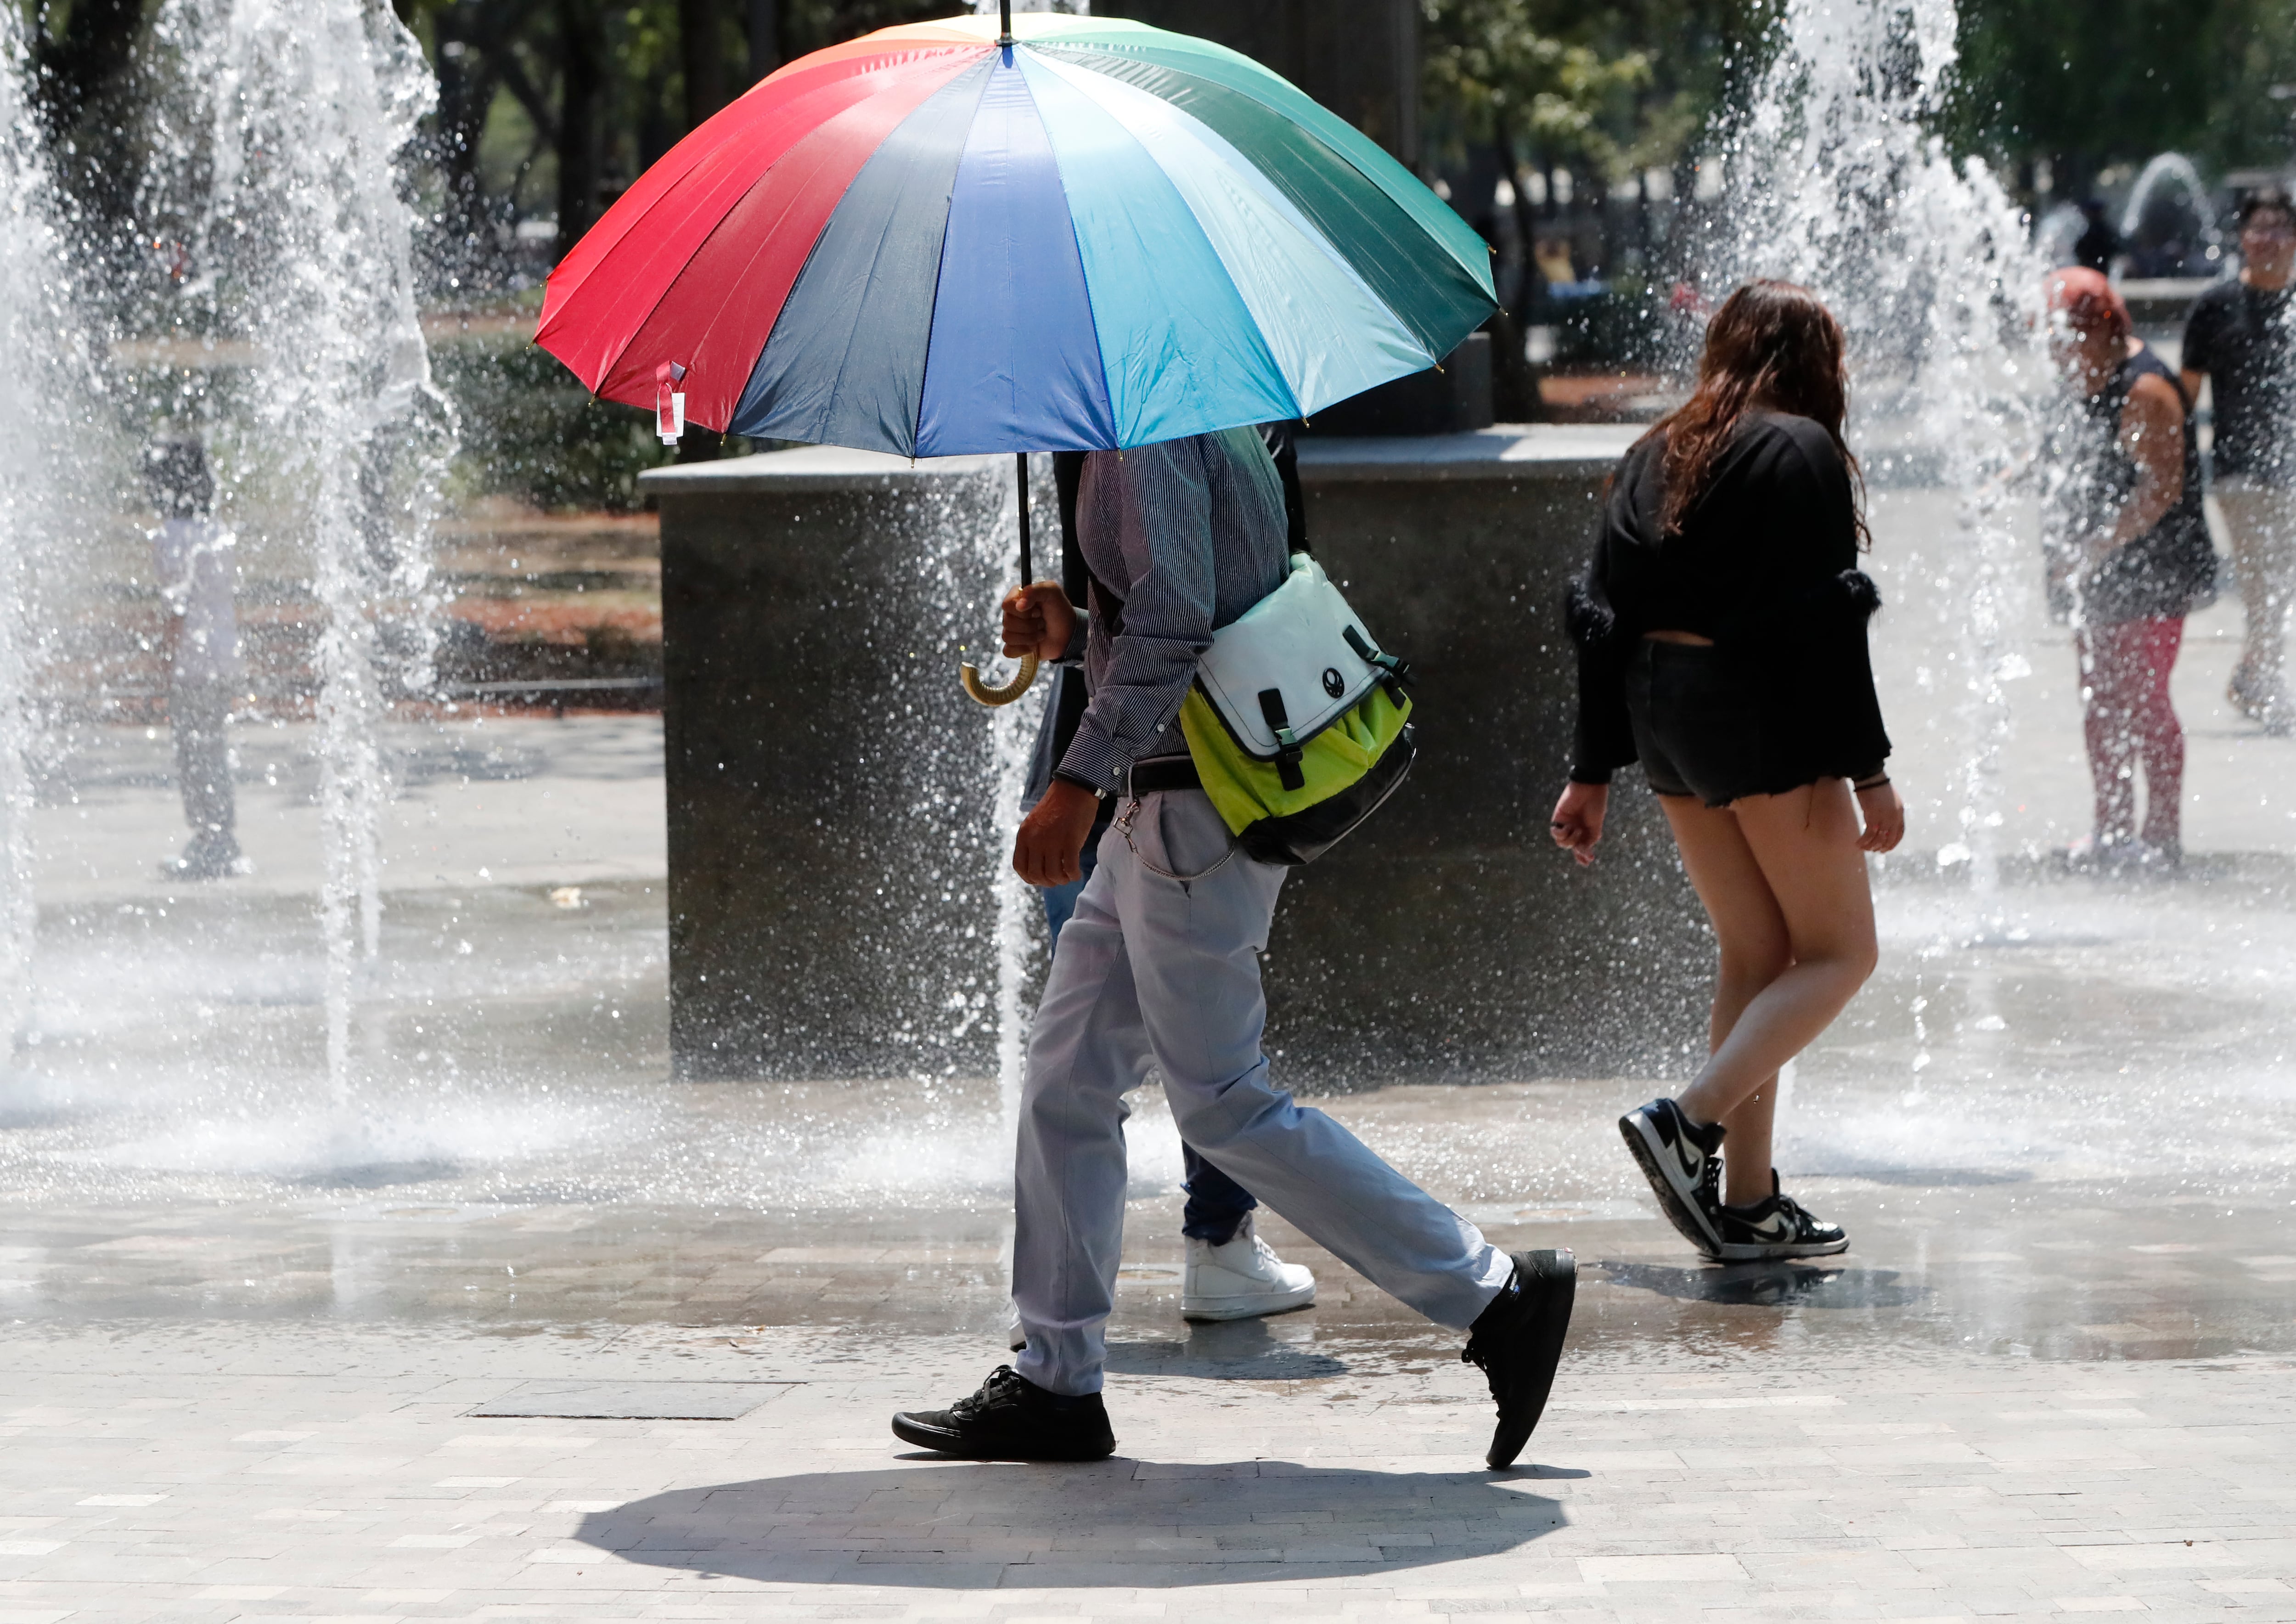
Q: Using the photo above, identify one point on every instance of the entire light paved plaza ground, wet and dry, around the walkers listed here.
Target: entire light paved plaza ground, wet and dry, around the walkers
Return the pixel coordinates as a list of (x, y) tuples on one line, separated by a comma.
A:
[(527, 1331)]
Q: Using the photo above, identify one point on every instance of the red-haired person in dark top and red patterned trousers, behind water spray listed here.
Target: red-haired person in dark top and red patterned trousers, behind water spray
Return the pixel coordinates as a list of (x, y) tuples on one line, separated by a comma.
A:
[(2130, 559)]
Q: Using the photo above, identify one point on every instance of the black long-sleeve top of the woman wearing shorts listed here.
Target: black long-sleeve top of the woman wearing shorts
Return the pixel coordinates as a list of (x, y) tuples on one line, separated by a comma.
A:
[(1767, 566)]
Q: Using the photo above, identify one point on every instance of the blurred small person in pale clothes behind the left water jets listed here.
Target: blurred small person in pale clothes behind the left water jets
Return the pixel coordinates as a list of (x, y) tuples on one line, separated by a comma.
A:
[(192, 557)]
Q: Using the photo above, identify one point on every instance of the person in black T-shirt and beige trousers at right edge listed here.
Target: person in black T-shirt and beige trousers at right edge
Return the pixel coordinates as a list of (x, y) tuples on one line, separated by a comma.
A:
[(2242, 343)]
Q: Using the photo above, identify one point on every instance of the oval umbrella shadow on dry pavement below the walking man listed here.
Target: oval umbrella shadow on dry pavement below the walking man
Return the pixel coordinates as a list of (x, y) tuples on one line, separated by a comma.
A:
[(1133, 1524)]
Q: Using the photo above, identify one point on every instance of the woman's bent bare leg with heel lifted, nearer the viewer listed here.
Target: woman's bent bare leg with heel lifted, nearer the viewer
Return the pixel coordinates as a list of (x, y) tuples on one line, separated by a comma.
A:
[(1806, 849)]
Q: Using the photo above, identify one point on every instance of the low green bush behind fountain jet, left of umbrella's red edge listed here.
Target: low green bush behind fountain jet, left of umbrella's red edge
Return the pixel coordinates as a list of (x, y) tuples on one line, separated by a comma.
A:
[(532, 431)]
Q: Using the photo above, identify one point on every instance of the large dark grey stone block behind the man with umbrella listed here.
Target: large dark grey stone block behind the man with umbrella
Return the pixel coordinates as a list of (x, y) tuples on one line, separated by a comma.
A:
[(837, 842)]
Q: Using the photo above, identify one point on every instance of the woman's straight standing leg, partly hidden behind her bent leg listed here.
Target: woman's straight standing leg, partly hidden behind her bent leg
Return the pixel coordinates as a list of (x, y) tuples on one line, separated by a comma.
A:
[(1755, 952)]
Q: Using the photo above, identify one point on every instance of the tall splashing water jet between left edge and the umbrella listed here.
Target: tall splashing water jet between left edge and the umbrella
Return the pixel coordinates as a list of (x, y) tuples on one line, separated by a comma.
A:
[(286, 167)]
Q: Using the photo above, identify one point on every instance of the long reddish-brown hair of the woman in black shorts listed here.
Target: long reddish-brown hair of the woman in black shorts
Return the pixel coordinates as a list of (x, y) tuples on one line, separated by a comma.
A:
[(1774, 346)]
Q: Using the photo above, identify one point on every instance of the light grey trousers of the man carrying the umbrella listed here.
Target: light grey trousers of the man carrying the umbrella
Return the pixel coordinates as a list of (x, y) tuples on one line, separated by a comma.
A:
[(1163, 975)]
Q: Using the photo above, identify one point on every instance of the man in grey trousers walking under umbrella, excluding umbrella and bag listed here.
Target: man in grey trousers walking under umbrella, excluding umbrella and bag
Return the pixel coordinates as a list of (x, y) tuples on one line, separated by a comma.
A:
[(1161, 970)]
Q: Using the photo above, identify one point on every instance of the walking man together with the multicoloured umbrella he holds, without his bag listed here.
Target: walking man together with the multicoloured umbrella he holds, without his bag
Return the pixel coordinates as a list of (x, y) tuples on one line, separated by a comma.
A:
[(1073, 233)]
